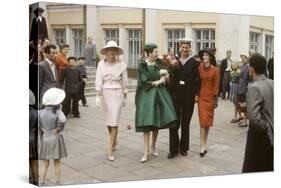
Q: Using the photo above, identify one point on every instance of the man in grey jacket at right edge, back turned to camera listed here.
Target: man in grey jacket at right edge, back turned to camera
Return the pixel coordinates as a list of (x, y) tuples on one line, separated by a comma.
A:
[(259, 100)]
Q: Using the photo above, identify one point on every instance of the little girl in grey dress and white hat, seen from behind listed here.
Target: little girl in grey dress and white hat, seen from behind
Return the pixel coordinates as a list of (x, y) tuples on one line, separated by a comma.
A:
[(51, 122)]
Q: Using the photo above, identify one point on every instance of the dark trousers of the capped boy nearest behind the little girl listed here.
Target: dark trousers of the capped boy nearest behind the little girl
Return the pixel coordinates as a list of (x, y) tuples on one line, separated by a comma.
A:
[(67, 104)]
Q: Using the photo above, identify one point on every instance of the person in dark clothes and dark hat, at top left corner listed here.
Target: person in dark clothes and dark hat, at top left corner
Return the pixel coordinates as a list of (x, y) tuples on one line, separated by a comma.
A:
[(39, 26)]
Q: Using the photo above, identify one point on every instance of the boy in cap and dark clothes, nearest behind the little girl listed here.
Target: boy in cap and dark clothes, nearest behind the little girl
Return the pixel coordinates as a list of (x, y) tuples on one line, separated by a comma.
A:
[(73, 82)]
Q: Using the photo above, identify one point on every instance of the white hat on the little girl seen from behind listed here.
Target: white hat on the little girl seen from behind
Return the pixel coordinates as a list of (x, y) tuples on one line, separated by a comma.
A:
[(53, 96)]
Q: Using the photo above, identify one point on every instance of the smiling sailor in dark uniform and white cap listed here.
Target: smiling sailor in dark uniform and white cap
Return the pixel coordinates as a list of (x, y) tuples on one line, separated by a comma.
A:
[(184, 89)]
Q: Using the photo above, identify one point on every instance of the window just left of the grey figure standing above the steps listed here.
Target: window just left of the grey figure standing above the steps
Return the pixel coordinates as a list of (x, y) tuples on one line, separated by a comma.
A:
[(78, 38)]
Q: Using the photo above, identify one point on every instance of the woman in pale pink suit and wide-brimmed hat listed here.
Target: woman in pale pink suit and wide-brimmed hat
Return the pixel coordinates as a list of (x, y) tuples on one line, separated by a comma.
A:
[(111, 87)]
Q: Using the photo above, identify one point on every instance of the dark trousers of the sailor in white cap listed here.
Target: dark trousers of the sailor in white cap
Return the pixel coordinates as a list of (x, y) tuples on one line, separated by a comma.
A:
[(184, 106)]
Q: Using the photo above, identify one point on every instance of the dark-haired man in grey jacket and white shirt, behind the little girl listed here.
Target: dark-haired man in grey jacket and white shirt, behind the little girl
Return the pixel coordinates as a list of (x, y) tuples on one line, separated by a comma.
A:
[(48, 75)]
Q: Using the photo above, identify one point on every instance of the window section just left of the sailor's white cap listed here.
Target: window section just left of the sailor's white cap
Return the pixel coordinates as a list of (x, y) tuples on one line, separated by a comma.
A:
[(172, 38)]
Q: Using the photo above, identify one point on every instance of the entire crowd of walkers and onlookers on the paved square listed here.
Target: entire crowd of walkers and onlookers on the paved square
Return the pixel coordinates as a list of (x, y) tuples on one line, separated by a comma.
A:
[(168, 89)]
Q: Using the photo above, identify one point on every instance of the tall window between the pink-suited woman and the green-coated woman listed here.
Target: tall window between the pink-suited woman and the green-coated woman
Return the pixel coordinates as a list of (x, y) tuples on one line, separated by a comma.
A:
[(135, 47)]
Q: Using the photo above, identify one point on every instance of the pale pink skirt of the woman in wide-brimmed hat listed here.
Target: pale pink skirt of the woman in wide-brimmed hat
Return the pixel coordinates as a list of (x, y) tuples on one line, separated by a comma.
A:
[(112, 102)]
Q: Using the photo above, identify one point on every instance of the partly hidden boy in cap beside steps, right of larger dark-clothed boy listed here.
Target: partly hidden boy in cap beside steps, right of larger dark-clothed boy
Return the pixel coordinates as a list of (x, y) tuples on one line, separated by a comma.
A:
[(83, 72)]
